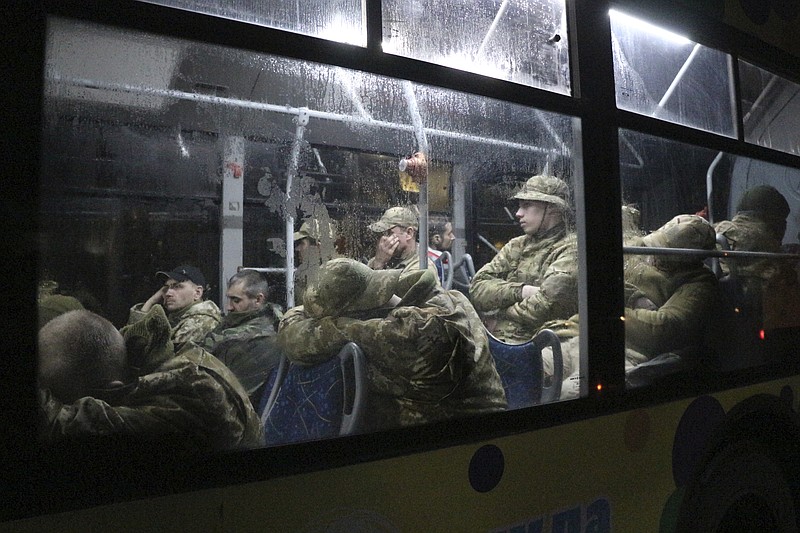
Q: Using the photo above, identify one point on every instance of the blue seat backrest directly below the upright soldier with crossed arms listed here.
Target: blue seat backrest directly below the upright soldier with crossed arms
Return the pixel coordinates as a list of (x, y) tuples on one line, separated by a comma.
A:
[(522, 371)]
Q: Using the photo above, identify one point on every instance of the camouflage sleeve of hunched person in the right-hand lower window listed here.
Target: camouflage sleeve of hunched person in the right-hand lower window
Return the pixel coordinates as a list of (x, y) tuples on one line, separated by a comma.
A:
[(676, 324)]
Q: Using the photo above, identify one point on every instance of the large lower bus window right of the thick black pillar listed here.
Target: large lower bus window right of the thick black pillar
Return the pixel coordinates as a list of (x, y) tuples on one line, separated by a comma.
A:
[(711, 281)]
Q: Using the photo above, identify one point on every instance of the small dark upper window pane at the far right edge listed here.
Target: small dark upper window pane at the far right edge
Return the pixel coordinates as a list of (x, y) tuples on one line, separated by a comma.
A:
[(771, 108)]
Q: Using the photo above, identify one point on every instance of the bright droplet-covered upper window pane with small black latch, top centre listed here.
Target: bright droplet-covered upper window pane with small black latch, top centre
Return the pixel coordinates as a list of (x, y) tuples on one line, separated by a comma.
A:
[(524, 42)]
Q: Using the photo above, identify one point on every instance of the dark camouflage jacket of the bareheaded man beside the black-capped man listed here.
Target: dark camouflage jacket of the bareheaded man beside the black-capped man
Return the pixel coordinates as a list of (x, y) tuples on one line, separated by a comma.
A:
[(246, 343)]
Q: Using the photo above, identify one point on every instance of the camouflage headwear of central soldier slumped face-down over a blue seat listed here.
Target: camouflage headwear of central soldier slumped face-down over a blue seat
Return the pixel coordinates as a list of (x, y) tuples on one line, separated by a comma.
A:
[(345, 285)]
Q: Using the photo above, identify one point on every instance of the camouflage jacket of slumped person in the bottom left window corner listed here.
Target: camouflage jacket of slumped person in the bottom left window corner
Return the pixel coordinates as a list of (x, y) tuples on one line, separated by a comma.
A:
[(190, 398)]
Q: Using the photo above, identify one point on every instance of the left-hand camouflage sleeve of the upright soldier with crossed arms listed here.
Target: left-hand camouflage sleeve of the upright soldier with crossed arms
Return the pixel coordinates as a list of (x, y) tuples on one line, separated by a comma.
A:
[(489, 290)]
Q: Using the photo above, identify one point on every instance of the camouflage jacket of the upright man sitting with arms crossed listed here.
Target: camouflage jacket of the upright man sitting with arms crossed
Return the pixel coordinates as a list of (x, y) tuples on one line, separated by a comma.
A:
[(549, 262)]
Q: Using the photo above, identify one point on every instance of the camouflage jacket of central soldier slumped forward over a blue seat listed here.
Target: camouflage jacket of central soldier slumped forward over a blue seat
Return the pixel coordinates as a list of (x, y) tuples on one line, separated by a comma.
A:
[(427, 359)]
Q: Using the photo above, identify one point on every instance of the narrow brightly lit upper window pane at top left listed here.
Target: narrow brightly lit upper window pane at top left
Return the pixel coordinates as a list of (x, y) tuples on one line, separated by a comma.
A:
[(336, 20)]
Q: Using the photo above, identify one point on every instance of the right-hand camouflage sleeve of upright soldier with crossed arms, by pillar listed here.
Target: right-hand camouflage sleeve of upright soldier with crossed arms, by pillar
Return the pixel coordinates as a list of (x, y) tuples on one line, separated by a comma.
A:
[(557, 297)]
